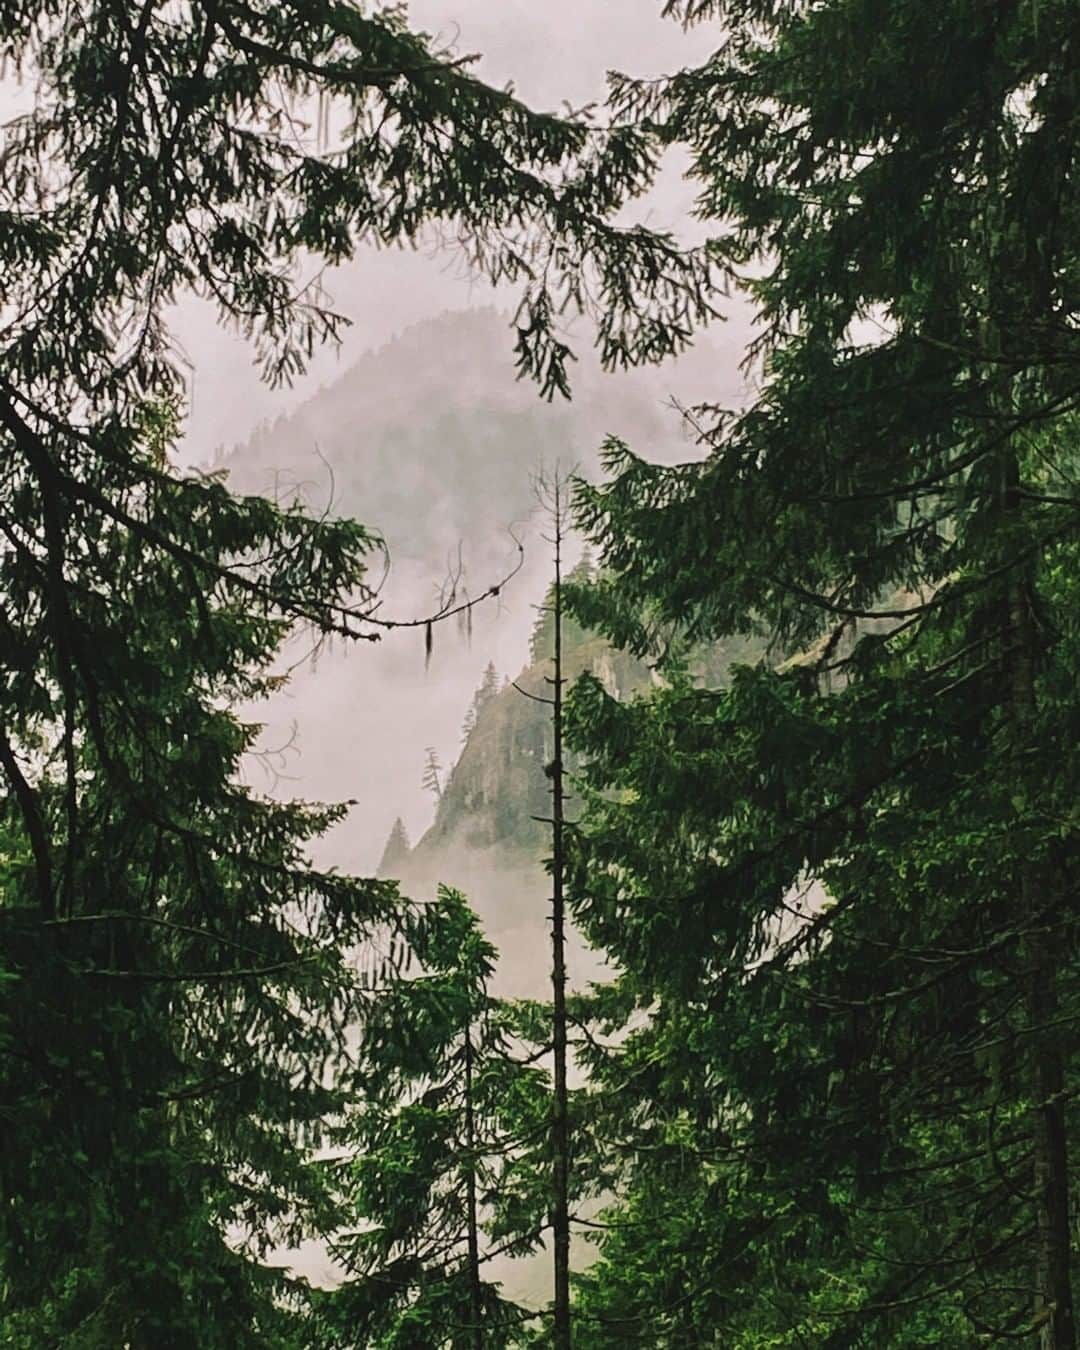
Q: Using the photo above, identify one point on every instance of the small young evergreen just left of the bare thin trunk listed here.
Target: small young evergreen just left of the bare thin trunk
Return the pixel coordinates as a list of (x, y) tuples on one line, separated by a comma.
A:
[(445, 1150)]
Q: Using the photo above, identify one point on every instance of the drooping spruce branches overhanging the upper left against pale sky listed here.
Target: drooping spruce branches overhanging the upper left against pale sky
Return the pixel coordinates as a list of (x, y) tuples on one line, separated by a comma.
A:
[(190, 165)]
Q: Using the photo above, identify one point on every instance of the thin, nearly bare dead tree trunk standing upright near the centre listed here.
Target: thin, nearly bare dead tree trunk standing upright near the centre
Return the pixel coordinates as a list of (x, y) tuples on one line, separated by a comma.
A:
[(561, 1132)]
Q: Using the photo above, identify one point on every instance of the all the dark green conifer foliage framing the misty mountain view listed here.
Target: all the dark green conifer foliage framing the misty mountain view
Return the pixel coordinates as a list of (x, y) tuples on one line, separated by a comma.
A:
[(832, 1090)]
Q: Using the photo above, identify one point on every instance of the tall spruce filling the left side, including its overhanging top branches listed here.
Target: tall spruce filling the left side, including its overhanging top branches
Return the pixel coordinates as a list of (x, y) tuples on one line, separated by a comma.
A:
[(179, 981)]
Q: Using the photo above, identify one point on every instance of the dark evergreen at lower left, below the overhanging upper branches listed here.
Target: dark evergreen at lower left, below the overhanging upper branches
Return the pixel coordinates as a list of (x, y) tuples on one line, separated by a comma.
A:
[(180, 988)]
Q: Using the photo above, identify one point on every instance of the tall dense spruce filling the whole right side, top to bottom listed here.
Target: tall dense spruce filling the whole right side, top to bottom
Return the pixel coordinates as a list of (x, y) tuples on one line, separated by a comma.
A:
[(843, 889)]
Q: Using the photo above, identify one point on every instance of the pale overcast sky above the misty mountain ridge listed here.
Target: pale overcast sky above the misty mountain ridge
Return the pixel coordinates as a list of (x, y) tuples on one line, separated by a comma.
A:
[(554, 52)]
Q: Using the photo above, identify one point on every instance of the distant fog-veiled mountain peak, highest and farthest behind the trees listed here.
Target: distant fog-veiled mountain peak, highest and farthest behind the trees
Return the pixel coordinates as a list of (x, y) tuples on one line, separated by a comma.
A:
[(433, 438)]
